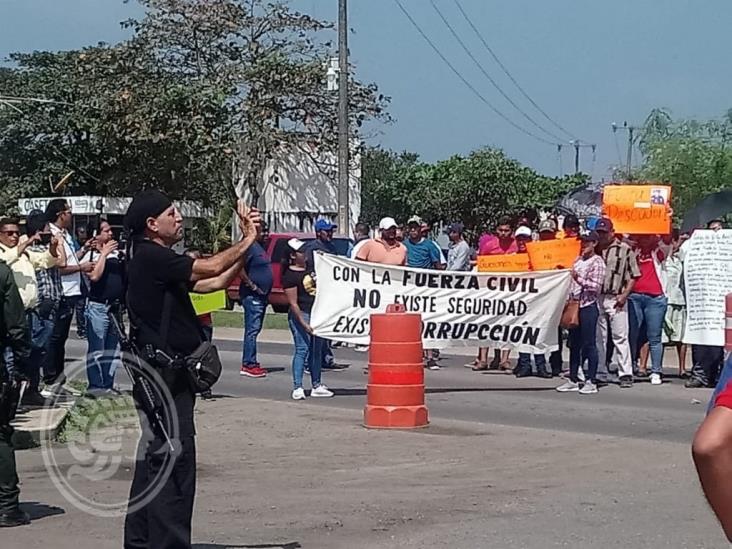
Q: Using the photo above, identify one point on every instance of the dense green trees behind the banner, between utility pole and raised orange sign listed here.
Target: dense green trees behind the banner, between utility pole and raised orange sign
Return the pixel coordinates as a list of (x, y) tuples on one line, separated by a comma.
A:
[(476, 190)]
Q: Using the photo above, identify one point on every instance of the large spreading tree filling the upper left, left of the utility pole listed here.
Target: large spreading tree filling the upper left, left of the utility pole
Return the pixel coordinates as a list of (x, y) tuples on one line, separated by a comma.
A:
[(200, 88)]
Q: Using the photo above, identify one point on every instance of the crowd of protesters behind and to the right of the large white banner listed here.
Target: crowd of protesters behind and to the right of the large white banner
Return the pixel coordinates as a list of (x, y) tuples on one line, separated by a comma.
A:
[(629, 289)]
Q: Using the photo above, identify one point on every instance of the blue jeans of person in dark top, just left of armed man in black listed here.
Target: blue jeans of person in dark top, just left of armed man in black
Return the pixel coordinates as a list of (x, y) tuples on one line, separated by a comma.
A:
[(103, 352)]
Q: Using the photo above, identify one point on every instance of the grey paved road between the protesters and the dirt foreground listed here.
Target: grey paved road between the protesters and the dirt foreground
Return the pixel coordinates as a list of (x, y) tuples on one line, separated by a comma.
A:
[(666, 413)]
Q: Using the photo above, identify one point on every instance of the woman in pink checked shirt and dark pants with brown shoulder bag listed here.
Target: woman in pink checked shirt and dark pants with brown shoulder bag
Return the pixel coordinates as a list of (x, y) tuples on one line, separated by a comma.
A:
[(588, 274)]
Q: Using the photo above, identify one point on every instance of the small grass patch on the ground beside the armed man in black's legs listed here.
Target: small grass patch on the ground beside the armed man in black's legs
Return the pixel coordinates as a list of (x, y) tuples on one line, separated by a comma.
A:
[(89, 415)]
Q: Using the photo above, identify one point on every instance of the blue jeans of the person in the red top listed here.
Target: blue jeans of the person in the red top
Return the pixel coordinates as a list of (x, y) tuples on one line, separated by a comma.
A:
[(649, 311)]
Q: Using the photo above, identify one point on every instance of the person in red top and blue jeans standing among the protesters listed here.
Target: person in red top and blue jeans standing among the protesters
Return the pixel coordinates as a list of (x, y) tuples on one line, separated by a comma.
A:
[(648, 304)]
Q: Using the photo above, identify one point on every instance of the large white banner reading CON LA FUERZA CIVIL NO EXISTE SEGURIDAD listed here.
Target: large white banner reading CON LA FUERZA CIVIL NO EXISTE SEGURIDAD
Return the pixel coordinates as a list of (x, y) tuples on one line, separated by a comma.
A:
[(500, 310)]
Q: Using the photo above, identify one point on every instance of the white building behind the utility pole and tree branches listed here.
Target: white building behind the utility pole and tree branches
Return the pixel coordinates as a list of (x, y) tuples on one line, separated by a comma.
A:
[(299, 187)]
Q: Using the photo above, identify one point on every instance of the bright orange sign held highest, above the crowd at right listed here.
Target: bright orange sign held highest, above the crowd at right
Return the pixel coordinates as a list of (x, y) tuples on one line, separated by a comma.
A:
[(638, 209)]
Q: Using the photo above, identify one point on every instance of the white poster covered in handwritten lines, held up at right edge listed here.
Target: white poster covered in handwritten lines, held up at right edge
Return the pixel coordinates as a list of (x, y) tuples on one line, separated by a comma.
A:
[(707, 257)]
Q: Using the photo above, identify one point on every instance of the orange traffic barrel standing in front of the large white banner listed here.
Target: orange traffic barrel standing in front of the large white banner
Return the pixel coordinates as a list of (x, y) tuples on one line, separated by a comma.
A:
[(395, 390)]
